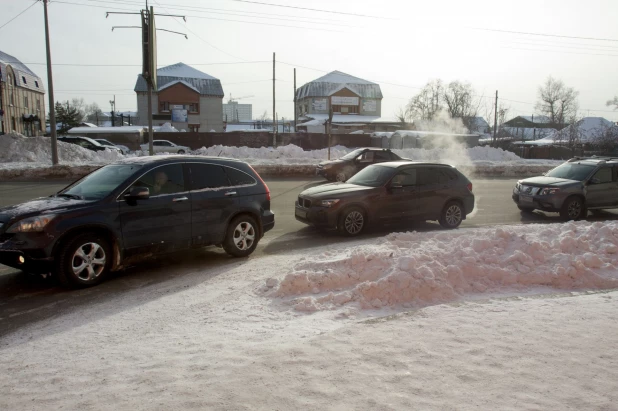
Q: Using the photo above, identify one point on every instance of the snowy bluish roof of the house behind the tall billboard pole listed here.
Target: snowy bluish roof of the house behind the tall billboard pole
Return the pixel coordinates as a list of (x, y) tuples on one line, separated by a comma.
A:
[(202, 82)]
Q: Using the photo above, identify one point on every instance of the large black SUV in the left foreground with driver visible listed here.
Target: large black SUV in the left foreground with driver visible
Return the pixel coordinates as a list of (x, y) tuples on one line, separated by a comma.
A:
[(134, 208)]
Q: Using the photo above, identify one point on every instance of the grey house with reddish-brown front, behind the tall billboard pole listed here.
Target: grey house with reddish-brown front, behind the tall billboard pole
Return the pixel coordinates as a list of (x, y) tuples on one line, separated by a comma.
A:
[(187, 98)]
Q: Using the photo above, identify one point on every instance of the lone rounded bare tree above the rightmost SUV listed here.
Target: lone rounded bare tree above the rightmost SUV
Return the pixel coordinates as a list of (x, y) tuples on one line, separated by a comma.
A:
[(557, 101)]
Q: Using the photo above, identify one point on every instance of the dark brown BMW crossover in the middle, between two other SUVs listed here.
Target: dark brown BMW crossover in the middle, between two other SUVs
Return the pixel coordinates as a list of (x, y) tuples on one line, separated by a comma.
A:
[(389, 192)]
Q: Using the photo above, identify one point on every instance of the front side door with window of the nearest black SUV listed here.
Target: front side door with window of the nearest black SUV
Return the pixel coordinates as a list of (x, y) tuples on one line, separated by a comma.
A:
[(163, 221)]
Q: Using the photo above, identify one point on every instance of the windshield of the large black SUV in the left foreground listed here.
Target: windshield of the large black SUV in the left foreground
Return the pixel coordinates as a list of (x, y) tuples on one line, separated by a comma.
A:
[(100, 183)]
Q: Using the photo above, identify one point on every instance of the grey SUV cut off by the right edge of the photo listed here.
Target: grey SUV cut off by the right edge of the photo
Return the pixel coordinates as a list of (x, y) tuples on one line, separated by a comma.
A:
[(572, 188)]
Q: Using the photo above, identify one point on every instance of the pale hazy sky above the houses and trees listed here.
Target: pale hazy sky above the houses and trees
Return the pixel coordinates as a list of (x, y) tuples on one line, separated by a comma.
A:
[(399, 44)]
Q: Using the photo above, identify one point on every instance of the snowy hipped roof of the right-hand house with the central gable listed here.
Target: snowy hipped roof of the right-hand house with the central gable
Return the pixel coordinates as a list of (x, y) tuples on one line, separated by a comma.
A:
[(336, 81)]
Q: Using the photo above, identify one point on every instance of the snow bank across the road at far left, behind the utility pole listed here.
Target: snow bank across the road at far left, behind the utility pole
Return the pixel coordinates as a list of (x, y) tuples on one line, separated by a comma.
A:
[(16, 148)]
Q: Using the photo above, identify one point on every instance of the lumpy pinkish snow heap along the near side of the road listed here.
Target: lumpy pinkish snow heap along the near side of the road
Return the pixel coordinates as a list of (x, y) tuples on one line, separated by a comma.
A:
[(419, 269)]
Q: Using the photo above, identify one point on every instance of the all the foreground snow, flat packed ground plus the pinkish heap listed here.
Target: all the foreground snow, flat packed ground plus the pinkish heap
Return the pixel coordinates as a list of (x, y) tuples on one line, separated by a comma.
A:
[(519, 316)]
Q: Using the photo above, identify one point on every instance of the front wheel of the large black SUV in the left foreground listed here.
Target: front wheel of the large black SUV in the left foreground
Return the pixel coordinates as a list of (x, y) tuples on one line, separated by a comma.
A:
[(84, 261)]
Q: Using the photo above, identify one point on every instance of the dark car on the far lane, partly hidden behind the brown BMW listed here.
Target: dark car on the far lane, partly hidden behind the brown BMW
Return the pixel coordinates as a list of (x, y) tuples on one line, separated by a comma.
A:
[(350, 164)]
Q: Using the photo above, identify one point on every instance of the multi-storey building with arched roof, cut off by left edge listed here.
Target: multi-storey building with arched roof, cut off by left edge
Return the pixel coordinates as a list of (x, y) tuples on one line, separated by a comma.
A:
[(22, 98)]
